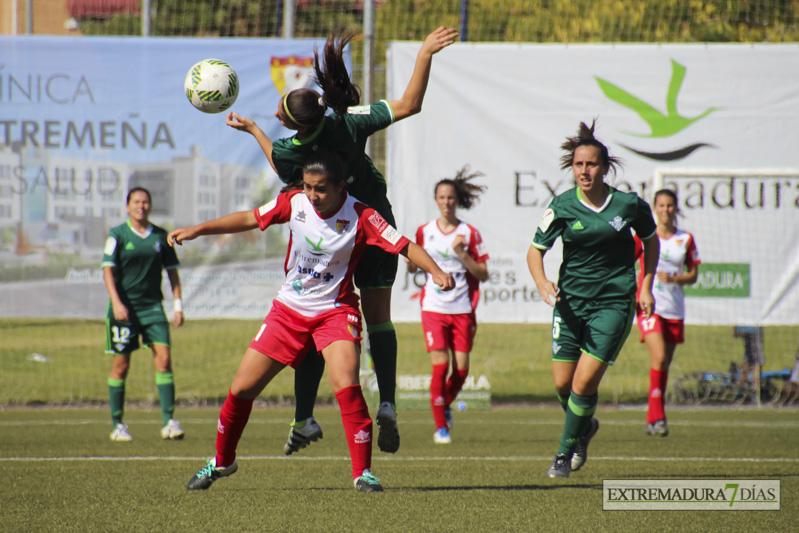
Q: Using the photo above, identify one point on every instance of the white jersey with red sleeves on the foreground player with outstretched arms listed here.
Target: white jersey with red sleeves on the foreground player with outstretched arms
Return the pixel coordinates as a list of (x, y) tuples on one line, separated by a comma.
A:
[(323, 252)]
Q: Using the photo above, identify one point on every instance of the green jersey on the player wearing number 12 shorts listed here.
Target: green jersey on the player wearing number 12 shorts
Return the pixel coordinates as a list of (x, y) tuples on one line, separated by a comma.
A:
[(137, 260)]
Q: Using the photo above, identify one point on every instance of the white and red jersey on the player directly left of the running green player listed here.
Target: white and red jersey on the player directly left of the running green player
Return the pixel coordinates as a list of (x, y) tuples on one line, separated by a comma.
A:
[(464, 297)]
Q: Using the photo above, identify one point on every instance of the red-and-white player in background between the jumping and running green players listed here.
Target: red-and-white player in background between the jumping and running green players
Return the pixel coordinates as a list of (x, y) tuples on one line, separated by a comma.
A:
[(448, 318)]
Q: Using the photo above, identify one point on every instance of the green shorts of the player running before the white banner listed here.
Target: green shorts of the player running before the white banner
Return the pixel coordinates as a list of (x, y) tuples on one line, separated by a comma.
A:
[(598, 328)]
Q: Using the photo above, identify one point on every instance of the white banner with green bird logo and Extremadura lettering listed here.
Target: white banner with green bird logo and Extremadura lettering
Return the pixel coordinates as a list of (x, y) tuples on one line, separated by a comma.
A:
[(505, 109)]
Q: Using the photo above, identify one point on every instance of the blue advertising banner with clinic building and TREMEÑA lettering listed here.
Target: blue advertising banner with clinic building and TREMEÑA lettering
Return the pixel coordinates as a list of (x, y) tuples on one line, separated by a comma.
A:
[(84, 120)]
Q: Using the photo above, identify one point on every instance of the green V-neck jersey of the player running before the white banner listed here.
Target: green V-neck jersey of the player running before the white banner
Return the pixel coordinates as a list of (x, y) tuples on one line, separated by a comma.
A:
[(598, 246)]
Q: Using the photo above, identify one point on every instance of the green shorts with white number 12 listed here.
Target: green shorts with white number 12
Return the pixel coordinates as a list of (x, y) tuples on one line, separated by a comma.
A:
[(123, 337)]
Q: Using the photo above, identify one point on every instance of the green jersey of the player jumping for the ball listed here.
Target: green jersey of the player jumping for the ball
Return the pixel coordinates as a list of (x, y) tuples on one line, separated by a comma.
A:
[(347, 136)]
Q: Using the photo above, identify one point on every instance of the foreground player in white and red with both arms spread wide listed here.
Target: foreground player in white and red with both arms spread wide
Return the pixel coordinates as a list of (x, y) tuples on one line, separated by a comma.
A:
[(316, 304)]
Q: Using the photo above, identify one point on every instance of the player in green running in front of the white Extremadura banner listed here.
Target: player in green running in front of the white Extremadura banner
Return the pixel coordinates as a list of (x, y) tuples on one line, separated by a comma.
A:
[(594, 298)]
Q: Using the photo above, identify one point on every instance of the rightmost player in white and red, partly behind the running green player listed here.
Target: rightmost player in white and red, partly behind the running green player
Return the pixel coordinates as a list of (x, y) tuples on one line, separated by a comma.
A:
[(665, 329)]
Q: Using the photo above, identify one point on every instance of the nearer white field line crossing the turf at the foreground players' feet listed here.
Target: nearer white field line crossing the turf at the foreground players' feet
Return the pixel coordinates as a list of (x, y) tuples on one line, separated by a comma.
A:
[(415, 459)]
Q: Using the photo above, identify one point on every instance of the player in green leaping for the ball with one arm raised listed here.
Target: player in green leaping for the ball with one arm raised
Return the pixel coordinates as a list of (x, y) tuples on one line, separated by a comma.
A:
[(345, 132)]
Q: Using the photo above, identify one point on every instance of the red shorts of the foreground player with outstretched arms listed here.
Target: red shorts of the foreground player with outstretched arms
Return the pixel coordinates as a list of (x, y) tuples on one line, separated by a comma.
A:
[(286, 336)]
